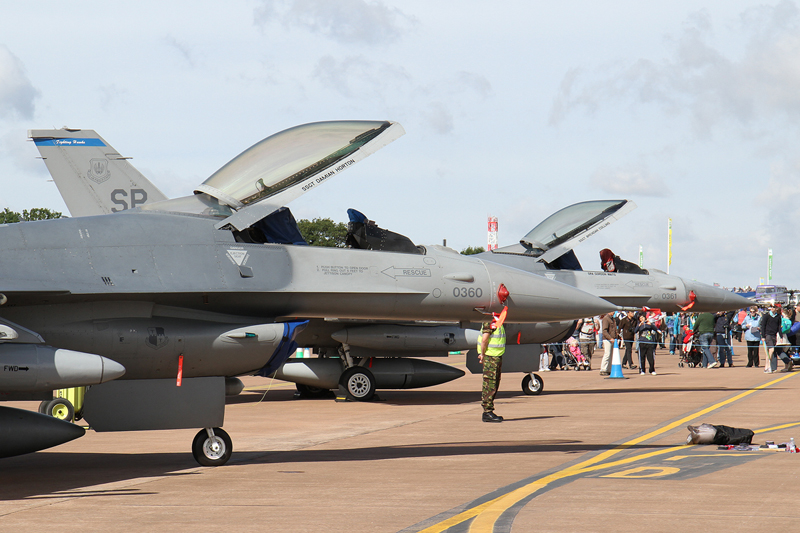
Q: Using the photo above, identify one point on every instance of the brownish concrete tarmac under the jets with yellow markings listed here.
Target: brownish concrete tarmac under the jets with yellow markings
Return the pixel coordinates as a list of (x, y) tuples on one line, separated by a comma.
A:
[(589, 454)]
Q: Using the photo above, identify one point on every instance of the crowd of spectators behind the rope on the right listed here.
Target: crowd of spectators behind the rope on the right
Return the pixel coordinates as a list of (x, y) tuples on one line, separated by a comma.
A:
[(690, 335)]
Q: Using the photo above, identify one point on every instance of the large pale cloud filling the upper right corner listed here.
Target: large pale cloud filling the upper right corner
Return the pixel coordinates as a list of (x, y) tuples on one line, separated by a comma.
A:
[(754, 87)]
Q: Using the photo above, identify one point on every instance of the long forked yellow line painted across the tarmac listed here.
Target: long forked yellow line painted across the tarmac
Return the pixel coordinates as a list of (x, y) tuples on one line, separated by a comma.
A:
[(488, 513)]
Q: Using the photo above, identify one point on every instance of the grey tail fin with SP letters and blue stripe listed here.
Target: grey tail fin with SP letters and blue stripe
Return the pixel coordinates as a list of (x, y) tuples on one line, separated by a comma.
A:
[(92, 177)]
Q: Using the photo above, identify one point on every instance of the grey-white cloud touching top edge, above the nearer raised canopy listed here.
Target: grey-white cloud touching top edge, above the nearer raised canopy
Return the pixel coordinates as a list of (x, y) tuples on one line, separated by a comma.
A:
[(344, 21)]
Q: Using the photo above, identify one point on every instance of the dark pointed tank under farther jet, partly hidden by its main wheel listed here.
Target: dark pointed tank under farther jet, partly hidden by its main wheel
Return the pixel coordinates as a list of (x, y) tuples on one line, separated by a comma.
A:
[(390, 373)]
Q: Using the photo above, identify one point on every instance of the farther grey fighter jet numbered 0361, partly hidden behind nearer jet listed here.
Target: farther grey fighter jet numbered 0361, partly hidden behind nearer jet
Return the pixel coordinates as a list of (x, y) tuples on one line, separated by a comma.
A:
[(546, 250)]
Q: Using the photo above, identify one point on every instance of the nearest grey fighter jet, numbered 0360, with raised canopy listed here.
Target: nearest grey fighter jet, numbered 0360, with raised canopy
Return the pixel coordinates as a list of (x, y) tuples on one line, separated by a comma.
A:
[(185, 293)]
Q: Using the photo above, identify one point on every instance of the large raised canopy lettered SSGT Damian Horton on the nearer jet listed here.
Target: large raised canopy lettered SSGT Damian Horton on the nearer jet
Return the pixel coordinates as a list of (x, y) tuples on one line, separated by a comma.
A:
[(288, 164)]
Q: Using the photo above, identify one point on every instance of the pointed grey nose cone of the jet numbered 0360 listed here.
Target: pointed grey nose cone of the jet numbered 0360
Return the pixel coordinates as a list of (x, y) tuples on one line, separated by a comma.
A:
[(534, 298)]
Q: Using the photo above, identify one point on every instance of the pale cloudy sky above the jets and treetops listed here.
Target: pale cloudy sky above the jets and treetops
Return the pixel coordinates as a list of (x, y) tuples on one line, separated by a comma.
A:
[(513, 109)]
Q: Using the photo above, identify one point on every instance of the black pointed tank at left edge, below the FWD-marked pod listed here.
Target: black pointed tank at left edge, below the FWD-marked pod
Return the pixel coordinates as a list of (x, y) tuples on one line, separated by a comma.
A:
[(26, 432)]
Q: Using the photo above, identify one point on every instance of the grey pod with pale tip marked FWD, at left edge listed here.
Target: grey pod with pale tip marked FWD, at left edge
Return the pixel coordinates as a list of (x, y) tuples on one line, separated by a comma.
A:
[(37, 367)]
